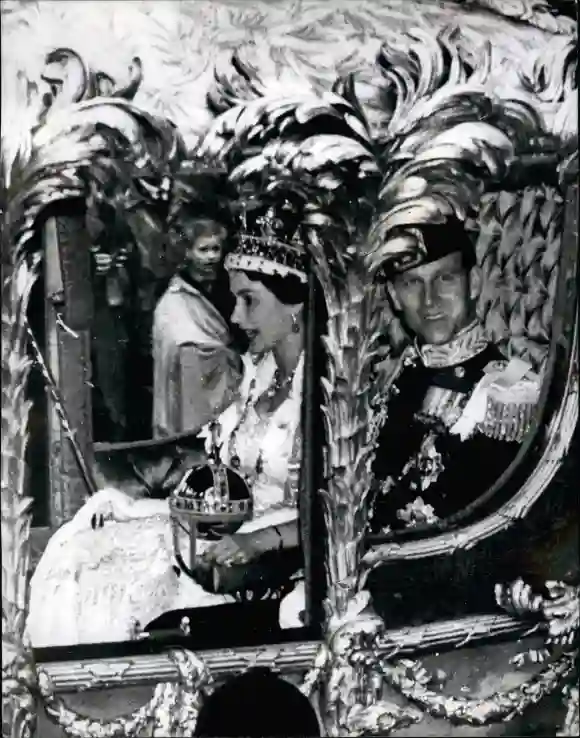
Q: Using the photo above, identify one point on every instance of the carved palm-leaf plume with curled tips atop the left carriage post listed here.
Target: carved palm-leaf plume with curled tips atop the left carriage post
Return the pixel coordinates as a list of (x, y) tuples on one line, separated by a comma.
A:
[(102, 150)]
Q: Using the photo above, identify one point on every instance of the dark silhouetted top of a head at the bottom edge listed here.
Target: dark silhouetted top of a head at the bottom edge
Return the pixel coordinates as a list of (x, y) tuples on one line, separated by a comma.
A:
[(257, 703)]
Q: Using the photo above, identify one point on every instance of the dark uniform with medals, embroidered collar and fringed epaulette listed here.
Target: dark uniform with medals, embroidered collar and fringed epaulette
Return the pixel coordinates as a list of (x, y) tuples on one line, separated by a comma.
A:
[(451, 424)]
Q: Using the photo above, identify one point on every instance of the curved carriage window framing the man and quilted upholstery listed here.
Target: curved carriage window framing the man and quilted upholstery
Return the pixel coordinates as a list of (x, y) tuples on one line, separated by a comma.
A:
[(479, 319)]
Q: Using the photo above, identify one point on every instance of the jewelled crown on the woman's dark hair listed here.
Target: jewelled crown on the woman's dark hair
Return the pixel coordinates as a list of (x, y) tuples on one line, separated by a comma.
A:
[(270, 244)]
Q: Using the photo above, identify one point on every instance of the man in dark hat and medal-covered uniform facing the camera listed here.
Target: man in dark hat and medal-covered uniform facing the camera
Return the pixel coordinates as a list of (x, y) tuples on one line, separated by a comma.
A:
[(456, 410)]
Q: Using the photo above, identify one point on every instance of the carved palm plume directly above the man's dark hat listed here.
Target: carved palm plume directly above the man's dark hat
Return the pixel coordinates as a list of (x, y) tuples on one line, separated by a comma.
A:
[(456, 142)]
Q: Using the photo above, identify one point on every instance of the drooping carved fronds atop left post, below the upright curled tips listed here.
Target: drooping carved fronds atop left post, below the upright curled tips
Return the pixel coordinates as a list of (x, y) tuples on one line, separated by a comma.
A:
[(106, 152)]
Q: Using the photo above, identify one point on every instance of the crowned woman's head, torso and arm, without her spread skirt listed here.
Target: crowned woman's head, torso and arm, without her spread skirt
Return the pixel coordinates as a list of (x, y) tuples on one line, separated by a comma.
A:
[(258, 435)]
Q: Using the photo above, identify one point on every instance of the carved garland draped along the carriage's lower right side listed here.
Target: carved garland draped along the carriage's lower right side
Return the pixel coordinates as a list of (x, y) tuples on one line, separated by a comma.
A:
[(355, 674)]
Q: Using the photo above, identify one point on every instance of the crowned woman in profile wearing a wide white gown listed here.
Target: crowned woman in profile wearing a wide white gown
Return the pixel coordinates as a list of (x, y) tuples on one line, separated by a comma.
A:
[(109, 578)]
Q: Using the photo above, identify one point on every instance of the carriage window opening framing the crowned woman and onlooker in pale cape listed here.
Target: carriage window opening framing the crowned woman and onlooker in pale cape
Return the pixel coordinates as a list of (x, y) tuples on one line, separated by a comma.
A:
[(196, 398)]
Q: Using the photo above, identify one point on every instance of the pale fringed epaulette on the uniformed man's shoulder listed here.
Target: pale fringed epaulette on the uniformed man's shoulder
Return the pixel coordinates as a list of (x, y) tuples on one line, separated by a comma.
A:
[(503, 403)]
